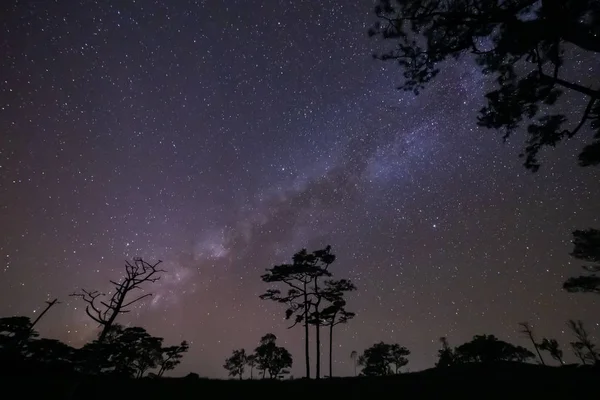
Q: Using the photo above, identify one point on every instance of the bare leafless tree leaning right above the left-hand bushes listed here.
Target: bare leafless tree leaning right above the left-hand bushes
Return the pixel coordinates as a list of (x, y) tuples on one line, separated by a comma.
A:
[(105, 312)]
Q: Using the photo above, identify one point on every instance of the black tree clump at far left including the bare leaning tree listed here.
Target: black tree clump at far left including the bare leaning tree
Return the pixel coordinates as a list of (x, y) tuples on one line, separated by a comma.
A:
[(120, 351)]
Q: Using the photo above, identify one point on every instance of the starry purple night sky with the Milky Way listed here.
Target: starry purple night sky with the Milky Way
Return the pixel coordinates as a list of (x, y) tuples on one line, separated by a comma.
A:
[(222, 137)]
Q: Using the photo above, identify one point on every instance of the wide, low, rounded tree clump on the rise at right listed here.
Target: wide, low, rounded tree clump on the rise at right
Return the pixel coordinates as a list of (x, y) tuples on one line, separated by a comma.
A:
[(489, 349)]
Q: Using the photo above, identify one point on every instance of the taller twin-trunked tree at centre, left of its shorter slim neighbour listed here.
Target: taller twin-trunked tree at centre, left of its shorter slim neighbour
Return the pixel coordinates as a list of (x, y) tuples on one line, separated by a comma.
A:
[(303, 297)]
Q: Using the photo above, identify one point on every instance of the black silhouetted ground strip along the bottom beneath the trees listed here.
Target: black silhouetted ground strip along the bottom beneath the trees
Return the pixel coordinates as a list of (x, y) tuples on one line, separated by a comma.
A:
[(471, 381)]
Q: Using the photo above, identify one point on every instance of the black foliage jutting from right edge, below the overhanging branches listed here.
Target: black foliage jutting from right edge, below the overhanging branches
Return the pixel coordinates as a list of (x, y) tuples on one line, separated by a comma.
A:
[(586, 248)]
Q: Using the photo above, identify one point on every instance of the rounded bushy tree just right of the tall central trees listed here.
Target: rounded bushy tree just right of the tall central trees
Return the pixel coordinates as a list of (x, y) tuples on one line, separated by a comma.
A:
[(378, 359)]
